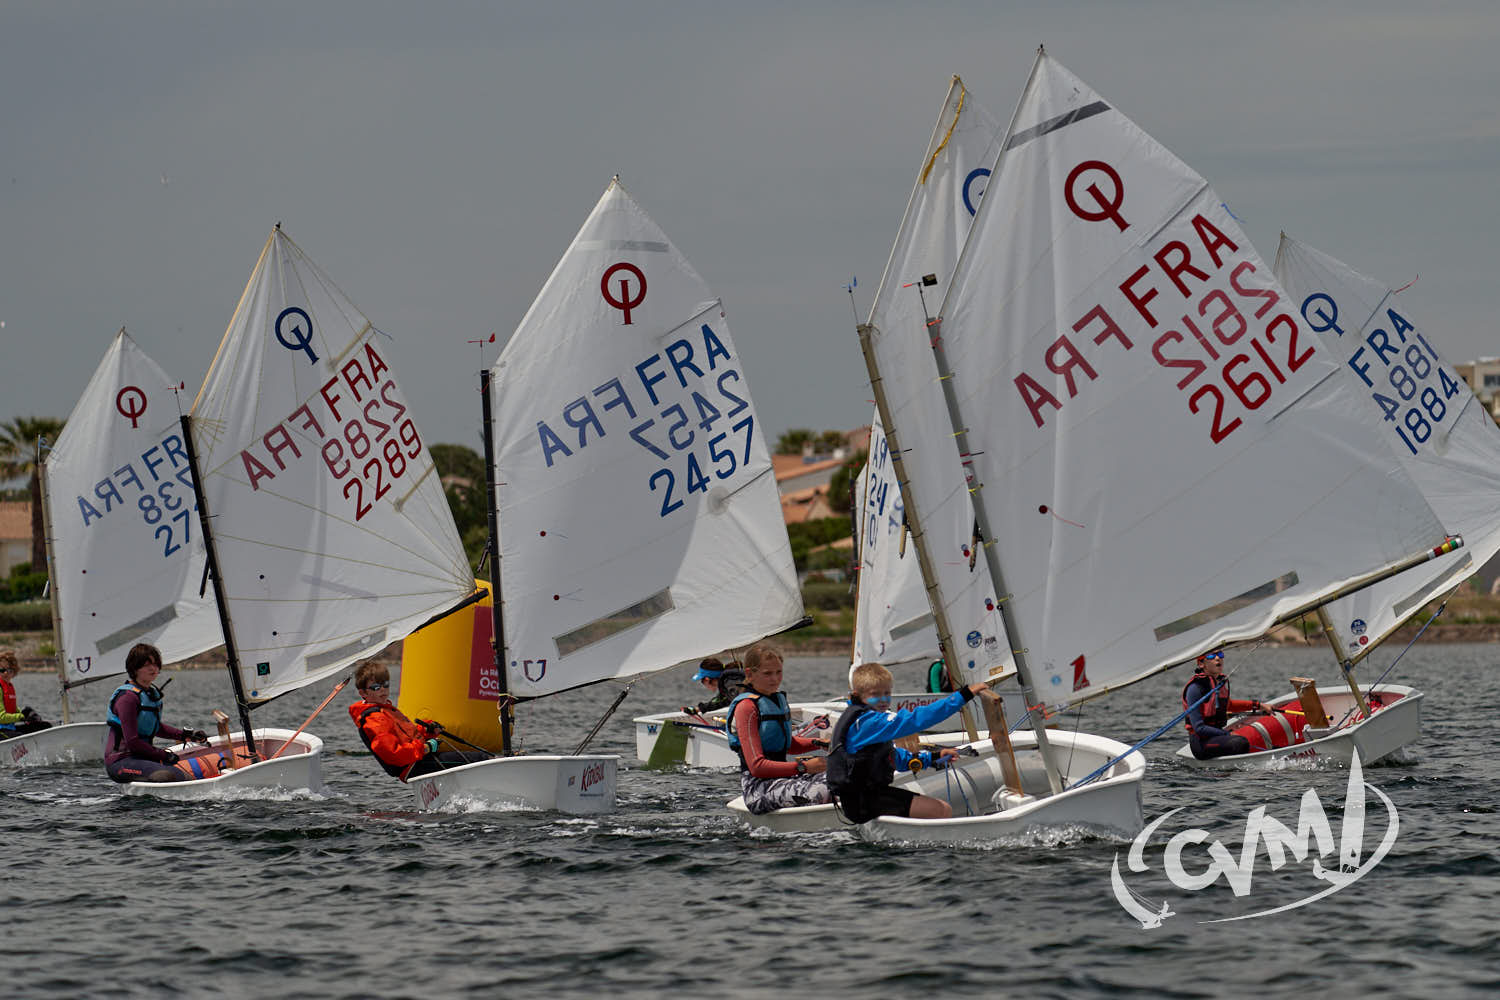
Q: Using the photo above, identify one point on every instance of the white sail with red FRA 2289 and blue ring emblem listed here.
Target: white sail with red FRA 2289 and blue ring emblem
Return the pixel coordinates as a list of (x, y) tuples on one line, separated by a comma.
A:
[(332, 531)]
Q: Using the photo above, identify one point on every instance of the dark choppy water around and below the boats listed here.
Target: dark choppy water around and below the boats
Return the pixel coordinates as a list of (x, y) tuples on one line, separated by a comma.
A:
[(355, 894)]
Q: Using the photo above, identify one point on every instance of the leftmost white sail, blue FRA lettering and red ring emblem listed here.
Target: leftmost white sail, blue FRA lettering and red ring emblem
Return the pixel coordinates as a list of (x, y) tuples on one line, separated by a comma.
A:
[(127, 555)]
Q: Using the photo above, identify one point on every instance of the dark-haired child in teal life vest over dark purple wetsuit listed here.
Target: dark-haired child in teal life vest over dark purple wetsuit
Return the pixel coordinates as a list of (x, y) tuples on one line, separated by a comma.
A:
[(136, 720)]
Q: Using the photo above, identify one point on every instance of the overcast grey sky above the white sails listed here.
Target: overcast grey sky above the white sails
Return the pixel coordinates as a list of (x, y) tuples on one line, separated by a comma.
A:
[(436, 160)]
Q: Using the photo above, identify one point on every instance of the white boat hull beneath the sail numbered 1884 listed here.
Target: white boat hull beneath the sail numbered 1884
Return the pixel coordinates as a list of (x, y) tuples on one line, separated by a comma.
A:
[(1385, 732)]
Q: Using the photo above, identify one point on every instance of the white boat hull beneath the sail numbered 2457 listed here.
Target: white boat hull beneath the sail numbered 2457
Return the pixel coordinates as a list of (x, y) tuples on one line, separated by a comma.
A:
[(565, 783)]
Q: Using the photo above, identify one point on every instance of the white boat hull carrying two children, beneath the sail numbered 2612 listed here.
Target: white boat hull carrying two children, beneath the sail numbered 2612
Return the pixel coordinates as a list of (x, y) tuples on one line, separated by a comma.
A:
[(1109, 804)]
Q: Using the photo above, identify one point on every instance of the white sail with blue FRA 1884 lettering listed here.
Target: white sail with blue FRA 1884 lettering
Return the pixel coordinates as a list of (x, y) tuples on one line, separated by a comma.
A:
[(1429, 416)]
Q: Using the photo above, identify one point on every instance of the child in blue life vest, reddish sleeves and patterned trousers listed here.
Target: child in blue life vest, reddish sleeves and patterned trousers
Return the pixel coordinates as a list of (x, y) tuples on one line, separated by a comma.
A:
[(761, 734)]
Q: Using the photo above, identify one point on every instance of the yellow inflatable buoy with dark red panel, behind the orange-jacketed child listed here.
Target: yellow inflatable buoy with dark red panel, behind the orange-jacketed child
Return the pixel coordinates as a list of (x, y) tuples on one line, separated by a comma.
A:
[(448, 675)]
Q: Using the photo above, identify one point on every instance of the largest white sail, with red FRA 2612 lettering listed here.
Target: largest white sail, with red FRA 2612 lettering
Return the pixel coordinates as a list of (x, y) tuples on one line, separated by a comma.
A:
[(1166, 455)]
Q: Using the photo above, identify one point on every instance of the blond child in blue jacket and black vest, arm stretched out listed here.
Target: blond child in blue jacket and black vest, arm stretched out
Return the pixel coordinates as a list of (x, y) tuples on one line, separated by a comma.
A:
[(863, 758)]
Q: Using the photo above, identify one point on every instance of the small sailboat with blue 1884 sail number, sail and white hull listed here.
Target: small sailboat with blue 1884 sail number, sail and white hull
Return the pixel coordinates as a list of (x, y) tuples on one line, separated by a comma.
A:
[(1448, 443)]
